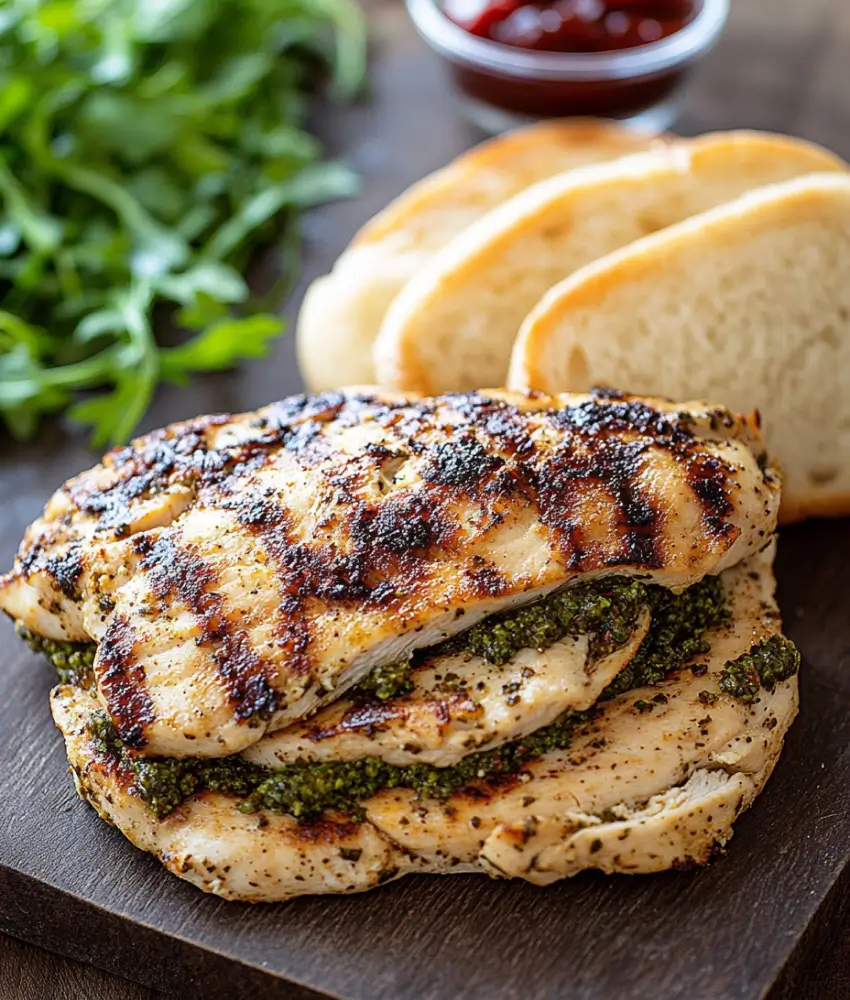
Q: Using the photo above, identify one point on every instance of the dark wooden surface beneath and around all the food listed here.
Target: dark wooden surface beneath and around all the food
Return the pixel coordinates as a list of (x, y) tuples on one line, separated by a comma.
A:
[(776, 901)]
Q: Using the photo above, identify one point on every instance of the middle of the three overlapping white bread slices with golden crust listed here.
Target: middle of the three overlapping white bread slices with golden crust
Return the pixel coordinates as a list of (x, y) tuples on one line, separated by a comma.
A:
[(453, 326)]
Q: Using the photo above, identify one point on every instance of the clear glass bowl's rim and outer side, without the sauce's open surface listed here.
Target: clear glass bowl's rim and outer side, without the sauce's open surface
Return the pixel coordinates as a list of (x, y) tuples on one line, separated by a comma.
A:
[(502, 86)]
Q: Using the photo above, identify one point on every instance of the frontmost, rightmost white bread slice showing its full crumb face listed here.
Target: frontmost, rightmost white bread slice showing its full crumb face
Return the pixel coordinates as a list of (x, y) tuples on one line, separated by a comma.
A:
[(748, 304)]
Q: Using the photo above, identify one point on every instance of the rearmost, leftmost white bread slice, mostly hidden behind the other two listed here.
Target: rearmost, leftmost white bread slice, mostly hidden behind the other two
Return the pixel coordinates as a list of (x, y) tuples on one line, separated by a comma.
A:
[(343, 311)]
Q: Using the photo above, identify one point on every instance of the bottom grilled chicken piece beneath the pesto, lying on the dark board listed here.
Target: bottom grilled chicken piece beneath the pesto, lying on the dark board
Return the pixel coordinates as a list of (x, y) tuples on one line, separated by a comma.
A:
[(654, 781)]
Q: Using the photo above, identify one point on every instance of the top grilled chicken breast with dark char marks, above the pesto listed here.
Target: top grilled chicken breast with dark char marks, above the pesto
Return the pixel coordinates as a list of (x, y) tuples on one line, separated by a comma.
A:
[(237, 572)]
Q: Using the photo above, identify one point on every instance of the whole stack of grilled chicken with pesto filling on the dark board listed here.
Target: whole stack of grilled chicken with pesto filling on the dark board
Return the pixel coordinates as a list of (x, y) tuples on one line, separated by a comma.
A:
[(366, 633)]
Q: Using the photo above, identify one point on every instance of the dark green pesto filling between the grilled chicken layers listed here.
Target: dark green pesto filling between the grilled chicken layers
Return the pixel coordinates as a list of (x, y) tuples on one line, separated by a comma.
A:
[(607, 610)]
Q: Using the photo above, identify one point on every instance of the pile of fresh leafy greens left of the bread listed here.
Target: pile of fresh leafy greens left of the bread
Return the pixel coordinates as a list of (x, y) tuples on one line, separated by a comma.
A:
[(147, 147)]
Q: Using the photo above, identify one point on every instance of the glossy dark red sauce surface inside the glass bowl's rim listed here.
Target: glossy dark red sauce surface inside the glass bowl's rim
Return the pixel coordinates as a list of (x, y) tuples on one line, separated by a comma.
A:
[(571, 25)]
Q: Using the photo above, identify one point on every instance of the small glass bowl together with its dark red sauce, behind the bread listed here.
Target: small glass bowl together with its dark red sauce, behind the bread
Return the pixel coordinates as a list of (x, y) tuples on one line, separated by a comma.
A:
[(515, 61)]
